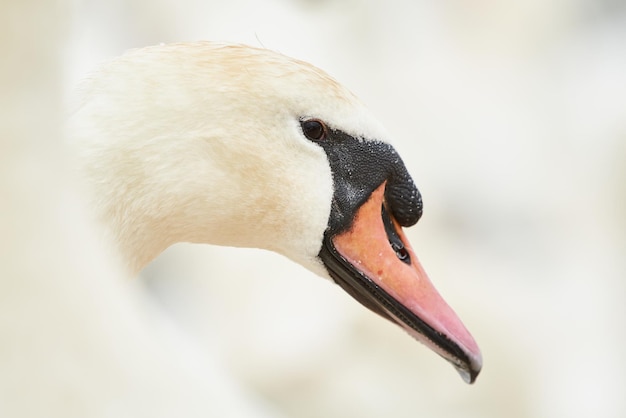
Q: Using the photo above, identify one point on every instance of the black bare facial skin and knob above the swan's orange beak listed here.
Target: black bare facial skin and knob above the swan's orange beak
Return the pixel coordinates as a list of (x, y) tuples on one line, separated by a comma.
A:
[(359, 166)]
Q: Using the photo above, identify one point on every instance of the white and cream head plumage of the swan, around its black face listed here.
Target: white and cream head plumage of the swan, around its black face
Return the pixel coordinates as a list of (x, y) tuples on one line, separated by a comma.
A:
[(201, 142)]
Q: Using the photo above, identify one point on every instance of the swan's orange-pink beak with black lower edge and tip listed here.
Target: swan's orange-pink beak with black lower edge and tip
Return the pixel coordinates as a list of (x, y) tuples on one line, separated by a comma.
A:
[(374, 262)]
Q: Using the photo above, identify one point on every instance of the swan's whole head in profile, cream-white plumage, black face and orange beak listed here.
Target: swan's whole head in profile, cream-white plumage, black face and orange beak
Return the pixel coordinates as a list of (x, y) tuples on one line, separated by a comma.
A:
[(239, 146)]
